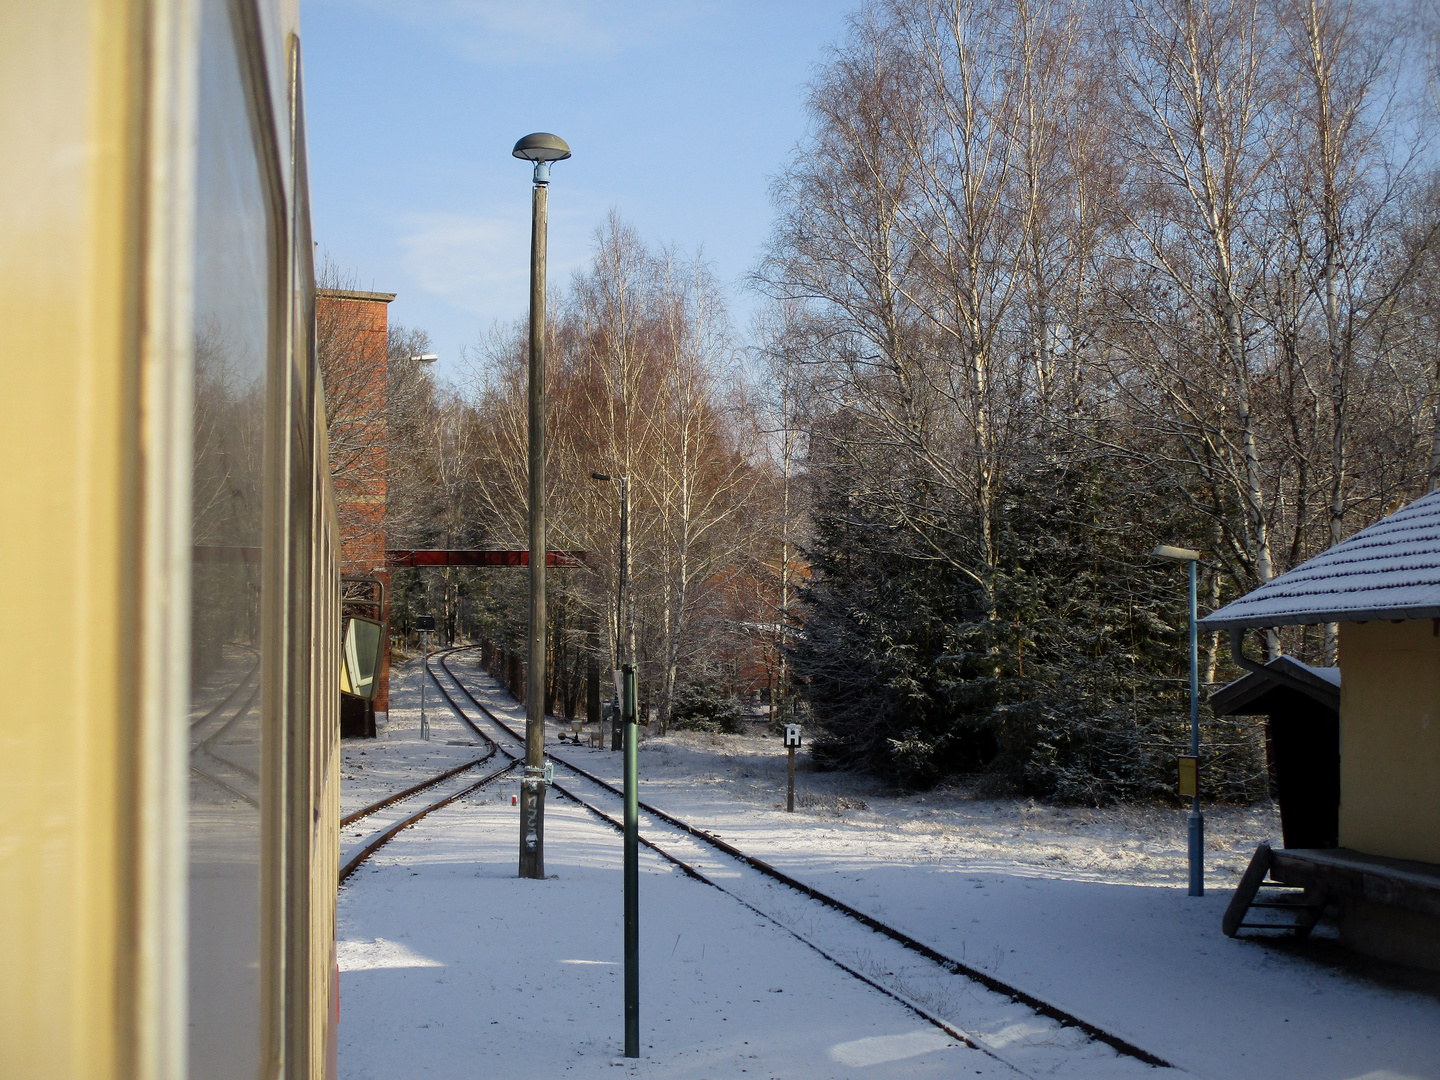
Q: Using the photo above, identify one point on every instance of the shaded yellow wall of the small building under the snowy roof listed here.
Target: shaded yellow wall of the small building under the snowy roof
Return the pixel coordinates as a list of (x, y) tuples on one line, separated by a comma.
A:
[(1390, 739)]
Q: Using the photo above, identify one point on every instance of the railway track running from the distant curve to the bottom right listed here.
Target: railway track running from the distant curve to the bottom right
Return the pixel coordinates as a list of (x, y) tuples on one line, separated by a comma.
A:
[(906, 970)]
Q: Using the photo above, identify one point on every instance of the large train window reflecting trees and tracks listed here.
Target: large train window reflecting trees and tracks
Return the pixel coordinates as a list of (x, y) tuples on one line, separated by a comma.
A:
[(230, 734)]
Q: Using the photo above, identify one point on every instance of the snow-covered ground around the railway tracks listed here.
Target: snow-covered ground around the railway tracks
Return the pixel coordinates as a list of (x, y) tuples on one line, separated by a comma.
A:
[(1085, 909)]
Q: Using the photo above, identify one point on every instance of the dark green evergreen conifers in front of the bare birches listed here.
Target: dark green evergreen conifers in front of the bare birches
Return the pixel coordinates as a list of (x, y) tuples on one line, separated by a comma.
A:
[(1074, 688)]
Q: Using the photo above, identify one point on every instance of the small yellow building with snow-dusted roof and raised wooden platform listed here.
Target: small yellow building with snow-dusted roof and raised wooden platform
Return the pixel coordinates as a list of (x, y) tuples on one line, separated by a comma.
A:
[(1383, 588)]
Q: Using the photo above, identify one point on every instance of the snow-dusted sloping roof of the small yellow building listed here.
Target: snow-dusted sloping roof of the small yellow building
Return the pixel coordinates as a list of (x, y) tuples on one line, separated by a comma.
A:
[(1390, 571)]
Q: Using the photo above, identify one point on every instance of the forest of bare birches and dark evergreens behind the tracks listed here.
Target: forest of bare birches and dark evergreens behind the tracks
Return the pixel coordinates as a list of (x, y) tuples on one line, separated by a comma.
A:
[(1049, 284)]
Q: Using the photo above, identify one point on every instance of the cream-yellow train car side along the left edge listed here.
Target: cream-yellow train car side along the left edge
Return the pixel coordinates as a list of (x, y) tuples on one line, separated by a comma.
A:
[(169, 777)]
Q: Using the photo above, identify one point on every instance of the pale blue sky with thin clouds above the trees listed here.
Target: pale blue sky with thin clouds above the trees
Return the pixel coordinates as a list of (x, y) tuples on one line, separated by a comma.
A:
[(678, 114)]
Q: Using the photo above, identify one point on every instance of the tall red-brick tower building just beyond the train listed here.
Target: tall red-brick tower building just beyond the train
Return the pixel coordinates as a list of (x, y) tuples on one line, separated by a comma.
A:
[(352, 339)]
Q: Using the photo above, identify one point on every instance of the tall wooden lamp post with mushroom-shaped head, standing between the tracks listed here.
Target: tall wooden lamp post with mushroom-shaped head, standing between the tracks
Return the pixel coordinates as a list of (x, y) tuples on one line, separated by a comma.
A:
[(542, 149)]
